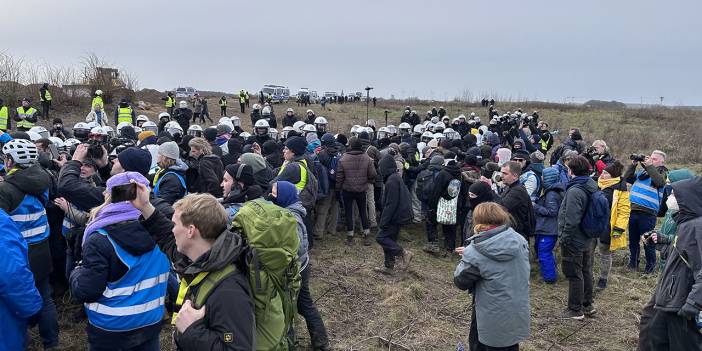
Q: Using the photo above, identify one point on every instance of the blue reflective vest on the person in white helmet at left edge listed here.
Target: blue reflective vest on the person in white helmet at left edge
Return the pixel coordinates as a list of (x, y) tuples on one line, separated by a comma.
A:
[(30, 218)]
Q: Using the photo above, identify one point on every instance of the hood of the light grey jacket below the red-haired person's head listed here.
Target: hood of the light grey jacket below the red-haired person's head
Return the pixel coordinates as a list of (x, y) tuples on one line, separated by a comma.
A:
[(497, 245)]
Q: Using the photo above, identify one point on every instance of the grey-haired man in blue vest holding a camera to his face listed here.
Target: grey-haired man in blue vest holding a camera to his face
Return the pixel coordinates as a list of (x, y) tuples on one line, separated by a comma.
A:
[(646, 195)]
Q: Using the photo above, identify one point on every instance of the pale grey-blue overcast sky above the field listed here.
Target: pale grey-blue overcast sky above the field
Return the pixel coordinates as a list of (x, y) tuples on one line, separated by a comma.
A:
[(626, 50)]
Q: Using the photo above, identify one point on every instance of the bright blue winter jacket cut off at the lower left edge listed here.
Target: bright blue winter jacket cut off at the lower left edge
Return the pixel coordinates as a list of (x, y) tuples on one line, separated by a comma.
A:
[(19, 298)]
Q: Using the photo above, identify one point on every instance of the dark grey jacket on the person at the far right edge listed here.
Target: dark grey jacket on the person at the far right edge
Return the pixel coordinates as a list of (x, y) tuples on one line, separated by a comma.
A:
[(681, 281)]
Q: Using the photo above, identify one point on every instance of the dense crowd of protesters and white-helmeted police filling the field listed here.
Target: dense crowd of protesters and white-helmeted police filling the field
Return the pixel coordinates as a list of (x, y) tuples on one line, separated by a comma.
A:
[(213, 226)]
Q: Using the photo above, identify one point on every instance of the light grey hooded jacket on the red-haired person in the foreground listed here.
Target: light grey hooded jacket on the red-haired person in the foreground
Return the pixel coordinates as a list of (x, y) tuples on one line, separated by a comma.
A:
[(495, 267)]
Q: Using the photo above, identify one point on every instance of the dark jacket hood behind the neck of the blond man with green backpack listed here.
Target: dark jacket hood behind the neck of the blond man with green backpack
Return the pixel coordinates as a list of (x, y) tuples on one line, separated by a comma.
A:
[(226, 249)]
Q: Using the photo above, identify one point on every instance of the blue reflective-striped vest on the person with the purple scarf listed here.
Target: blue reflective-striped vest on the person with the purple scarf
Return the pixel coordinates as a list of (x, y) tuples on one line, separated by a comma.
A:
[(136, 300)]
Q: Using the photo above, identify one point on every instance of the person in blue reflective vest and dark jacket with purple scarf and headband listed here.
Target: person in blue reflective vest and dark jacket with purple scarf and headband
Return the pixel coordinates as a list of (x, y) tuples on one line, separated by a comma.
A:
[(122, 277)]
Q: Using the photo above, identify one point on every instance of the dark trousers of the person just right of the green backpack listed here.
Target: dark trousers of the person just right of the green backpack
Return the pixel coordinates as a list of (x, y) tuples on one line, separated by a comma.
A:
[(308, 310)]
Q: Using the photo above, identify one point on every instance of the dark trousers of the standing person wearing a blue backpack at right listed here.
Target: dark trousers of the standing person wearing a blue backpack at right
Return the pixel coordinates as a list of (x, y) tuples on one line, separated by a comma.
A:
[(577, 267)]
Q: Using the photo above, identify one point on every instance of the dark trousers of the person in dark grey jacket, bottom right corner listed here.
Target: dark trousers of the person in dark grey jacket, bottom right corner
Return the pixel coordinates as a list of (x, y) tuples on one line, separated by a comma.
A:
[(670, 332)]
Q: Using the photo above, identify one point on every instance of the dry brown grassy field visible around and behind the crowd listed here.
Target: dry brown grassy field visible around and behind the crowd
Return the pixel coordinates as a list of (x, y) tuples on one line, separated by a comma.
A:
[(421, 309)]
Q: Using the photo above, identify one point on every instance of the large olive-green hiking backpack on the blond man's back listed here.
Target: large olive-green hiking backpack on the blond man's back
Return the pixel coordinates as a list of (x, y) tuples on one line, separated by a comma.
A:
[(274, 271)]
